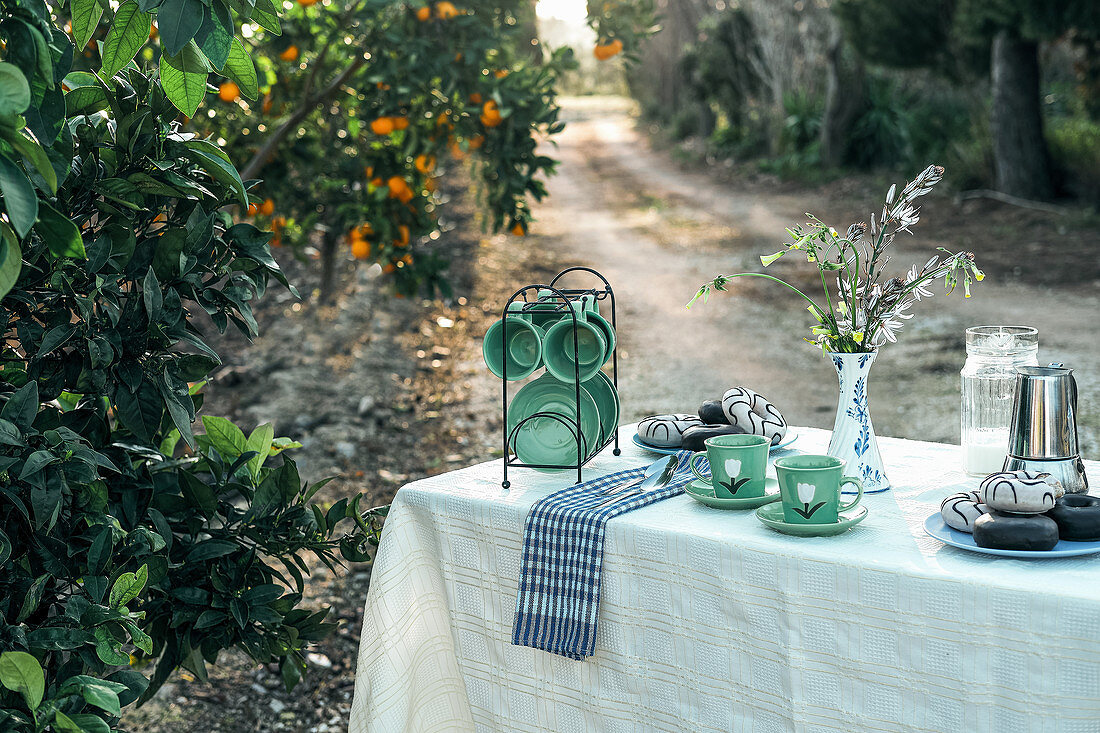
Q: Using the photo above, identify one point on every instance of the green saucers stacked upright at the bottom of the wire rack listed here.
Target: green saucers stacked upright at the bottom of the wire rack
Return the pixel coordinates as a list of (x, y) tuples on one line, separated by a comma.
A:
[(543, 420)]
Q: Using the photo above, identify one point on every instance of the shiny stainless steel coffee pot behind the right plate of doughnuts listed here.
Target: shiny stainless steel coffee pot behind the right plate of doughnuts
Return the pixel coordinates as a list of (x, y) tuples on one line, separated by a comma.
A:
[(1043, 436)]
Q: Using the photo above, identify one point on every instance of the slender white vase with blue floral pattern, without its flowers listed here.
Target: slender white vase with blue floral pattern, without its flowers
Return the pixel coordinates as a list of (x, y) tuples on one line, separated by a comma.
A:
[(853, 434)]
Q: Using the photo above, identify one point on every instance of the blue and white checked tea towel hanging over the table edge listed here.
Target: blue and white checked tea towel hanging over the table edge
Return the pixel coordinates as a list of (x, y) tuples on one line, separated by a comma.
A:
[(564, 548)]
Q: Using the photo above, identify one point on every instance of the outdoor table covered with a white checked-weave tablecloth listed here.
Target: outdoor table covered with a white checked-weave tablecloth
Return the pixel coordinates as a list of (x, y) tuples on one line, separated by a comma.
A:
[(710, 621)]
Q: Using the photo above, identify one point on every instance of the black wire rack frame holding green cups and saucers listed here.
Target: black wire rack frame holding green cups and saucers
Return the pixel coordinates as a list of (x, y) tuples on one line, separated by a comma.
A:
[(540, 298)]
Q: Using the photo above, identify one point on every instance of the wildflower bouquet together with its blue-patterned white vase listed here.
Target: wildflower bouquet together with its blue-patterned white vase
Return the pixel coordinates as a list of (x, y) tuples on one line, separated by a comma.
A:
[(867, 309)]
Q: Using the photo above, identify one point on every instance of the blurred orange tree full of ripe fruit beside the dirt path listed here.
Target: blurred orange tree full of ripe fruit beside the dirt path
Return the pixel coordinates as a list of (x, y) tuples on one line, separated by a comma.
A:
[(365, 103)]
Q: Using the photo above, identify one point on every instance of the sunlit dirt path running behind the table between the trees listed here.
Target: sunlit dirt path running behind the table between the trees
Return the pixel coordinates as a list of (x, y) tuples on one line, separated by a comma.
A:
[(658, 232)]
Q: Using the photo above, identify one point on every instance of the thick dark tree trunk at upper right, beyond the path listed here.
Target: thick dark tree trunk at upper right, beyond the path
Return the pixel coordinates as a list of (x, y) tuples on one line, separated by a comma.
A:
[(1020, 156)]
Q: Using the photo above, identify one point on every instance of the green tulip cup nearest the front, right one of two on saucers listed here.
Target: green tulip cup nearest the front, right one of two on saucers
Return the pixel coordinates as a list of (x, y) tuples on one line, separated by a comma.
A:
[(810, 489)]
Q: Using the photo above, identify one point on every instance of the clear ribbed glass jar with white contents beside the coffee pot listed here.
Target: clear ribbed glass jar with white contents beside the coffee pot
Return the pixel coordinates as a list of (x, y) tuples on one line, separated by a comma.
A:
[(989, 379)]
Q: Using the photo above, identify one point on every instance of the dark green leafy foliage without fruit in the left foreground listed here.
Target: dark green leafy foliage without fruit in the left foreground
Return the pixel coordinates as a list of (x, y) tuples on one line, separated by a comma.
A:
[(126, 533)]
